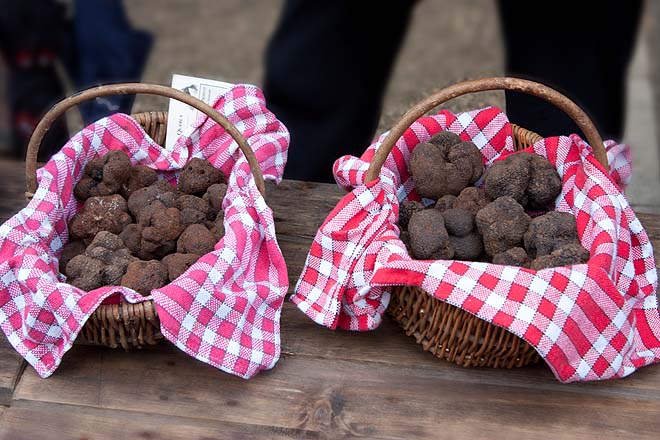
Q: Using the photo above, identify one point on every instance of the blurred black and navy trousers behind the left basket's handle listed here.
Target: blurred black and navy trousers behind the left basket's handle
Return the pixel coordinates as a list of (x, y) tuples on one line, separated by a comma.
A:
[(36, 34)]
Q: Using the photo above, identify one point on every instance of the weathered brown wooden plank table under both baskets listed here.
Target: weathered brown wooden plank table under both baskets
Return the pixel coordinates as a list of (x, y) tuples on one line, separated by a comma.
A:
[(326, 385)]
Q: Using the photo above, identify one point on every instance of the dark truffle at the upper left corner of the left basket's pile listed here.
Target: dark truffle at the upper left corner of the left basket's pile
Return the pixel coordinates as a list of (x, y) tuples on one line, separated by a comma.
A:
[(103, 176)]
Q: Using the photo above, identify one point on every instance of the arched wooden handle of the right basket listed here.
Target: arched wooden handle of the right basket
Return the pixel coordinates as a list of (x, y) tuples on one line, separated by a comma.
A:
[(481, 85)]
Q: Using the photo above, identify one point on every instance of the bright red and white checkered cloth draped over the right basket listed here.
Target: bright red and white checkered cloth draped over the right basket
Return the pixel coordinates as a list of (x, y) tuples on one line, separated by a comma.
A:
[(590, 321)]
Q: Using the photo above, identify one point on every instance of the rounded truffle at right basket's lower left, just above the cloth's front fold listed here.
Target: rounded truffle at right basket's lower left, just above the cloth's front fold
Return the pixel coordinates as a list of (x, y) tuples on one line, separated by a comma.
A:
[(429, 239)]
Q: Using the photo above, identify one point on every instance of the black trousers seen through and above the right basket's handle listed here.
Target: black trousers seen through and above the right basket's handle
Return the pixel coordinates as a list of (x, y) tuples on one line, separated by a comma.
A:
[(577, 49)]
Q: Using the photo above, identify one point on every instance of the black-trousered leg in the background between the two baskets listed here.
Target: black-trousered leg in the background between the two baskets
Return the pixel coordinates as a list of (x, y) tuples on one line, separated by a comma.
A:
[(327, 67)]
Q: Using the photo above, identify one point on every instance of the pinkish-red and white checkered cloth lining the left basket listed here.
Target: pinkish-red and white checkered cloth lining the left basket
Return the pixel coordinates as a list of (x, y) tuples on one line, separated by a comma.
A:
[(224, 310)]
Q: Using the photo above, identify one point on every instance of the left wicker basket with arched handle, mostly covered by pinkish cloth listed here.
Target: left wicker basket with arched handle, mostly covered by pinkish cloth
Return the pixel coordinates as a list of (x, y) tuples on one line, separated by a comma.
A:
[(130, 325)]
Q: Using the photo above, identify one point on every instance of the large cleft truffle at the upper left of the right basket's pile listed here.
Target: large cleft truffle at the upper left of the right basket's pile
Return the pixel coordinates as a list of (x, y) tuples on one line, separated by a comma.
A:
[(438, 169)]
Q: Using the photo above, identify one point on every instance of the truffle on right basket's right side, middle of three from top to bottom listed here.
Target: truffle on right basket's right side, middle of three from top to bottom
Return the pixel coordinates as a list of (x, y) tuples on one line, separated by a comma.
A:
[(549, 232)]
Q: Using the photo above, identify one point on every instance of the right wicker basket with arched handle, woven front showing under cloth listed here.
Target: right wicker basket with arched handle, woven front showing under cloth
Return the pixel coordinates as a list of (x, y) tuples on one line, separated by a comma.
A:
[(447, 331)]
